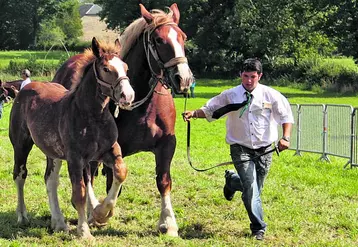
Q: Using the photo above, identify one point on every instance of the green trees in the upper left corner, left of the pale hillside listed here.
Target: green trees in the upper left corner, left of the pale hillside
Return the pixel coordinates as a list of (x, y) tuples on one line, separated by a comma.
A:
[(26, 24)]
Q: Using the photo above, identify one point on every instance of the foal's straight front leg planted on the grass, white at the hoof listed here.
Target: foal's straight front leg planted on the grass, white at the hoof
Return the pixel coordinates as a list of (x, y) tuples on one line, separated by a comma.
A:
[(75, 170)]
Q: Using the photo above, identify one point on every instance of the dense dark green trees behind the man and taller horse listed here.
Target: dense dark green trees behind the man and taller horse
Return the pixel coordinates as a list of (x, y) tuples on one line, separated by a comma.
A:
[(221, 33)]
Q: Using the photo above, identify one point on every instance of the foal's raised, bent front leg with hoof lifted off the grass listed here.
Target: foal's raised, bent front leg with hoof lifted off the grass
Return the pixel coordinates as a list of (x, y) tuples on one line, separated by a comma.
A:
[(105, 210)]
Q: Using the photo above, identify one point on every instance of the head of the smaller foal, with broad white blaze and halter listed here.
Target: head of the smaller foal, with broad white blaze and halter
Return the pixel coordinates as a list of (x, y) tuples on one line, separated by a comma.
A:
[(111, 75)]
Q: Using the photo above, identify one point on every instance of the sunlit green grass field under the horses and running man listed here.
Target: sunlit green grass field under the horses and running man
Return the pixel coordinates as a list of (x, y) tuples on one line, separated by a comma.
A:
[(306, 202)]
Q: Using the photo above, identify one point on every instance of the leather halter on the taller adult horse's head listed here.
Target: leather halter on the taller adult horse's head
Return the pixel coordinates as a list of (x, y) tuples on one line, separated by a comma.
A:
[(151, 49)]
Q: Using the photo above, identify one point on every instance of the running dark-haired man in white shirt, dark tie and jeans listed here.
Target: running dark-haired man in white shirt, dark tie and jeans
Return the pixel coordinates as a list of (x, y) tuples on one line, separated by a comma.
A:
[(253, 111)]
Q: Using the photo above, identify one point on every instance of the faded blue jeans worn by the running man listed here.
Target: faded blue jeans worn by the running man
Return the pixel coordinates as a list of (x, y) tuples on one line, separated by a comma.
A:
[(249, 180)]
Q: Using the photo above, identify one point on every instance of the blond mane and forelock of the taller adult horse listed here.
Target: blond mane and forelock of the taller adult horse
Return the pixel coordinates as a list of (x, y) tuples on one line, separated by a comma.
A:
[(136, 28)]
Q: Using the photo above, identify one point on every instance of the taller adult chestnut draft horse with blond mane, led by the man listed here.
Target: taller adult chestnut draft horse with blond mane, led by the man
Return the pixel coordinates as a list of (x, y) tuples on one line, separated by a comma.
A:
[(153, 48)]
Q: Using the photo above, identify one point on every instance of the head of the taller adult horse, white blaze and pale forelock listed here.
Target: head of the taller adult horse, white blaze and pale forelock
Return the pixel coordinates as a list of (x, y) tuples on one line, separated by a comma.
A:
[(164, 41)]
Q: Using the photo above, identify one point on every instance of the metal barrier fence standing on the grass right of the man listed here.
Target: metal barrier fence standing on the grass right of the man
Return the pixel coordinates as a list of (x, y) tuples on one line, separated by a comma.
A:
[(326, 129)]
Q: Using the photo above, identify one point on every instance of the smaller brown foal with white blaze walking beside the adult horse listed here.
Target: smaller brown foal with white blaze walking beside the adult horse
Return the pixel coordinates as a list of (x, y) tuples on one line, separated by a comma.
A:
[(76, 126)]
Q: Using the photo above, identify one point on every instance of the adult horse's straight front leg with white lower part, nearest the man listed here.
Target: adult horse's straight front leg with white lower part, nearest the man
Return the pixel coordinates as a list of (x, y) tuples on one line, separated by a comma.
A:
[(163, 156)]
